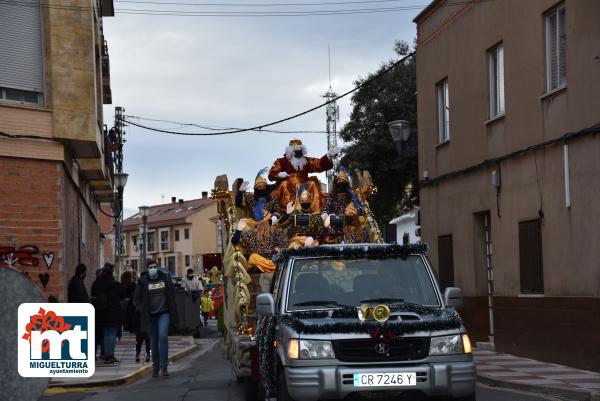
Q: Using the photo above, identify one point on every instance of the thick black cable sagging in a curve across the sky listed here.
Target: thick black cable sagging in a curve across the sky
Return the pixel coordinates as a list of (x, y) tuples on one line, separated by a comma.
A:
[(263, 126)]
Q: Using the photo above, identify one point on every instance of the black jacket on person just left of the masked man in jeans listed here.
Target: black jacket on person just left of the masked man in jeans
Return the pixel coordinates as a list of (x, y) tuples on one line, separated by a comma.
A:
[(107, 294)]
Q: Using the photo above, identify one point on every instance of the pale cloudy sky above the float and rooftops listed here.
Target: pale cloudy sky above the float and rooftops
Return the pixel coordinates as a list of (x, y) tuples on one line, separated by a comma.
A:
[(233, 72)]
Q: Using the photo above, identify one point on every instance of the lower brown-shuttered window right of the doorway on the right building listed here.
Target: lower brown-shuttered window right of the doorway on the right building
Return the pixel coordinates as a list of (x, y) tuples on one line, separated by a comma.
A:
[(530, 257)]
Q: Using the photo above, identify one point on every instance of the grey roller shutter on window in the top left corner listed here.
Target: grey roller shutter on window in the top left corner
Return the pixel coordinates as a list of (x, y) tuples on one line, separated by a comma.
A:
[(21, 46)]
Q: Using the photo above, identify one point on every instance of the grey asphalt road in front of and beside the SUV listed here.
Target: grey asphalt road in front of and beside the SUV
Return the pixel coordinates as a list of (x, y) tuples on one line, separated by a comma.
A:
[(209, 378)]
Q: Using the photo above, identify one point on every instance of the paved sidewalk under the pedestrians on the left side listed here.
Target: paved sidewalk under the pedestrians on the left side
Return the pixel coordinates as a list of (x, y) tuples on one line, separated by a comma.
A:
[(127, 370)]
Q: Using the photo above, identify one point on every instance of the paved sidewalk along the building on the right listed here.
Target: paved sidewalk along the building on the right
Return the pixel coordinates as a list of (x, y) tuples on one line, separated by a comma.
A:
[(510, 371)]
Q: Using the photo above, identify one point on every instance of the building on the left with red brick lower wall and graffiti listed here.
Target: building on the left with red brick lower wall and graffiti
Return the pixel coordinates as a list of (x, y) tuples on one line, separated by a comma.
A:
[(55, 161)]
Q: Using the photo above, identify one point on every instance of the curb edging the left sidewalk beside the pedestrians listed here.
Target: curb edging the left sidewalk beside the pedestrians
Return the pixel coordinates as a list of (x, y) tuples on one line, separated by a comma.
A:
[(127, 379)]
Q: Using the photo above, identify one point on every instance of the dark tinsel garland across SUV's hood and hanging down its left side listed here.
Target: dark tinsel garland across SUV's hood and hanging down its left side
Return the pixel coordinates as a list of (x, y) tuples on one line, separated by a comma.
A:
[(434, 318)]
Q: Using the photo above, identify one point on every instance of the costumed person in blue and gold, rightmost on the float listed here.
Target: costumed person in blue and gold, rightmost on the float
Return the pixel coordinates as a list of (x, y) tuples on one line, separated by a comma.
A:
[(343, 202)]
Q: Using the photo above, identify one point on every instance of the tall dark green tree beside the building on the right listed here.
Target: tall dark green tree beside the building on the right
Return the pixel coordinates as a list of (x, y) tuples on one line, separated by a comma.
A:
[(391, 96)]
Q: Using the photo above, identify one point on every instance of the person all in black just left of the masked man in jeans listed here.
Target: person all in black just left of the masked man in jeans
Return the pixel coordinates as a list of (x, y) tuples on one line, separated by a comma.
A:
[(108, 293)]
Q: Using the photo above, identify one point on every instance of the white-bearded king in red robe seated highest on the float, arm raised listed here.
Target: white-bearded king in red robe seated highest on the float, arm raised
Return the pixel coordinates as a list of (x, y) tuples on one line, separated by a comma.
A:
[(292, 170)]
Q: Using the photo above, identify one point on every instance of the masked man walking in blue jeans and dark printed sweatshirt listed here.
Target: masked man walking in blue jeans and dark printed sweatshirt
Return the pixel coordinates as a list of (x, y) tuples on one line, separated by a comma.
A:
[(155, 299)]
